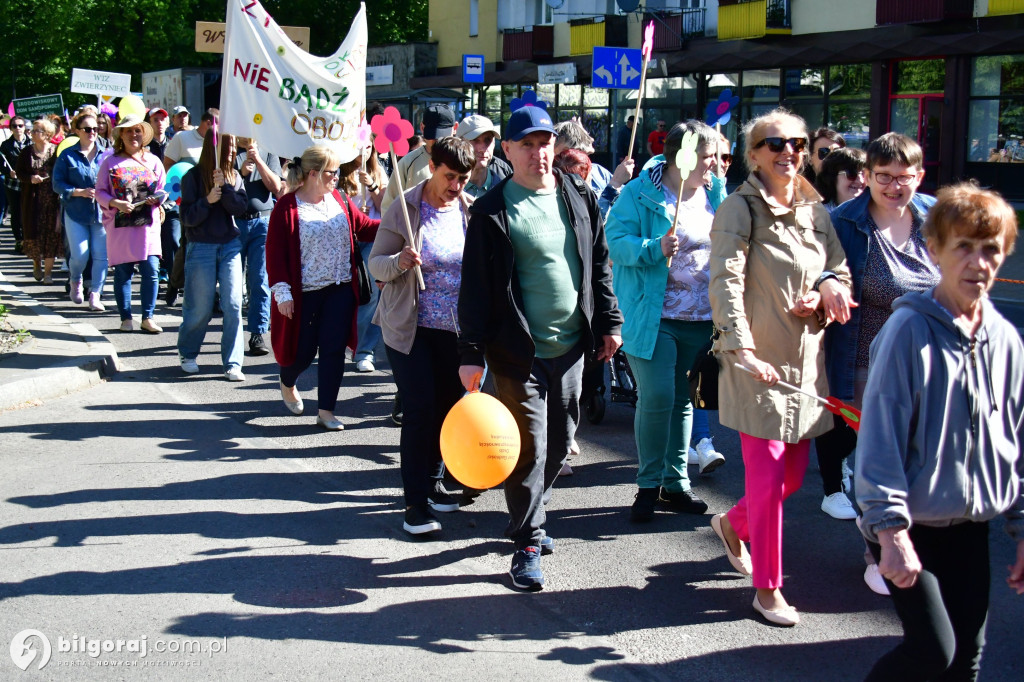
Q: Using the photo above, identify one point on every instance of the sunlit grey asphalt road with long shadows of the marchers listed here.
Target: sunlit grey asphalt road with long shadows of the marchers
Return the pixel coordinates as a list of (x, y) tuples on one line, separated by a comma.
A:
[(178, 507)]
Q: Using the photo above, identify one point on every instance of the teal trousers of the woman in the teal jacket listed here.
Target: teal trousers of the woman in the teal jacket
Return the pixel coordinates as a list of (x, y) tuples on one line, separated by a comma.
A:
[(664, 416)]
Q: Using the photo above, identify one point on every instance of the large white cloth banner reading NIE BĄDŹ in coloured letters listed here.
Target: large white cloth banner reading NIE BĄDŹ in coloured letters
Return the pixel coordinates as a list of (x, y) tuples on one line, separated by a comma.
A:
[(285, 98)]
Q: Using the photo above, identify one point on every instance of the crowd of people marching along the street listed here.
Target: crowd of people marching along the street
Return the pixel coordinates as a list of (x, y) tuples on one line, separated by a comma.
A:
[(824, 274)]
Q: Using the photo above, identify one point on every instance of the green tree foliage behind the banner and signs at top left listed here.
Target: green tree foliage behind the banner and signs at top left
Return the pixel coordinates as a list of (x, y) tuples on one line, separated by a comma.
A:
[(44, 41)]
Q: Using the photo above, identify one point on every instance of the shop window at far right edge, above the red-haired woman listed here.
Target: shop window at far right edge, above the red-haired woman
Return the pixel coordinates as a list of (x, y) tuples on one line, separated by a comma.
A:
[(996, 123)]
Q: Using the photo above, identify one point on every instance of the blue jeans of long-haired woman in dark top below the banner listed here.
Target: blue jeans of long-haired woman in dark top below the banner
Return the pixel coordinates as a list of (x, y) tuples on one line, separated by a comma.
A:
[(206, 266)]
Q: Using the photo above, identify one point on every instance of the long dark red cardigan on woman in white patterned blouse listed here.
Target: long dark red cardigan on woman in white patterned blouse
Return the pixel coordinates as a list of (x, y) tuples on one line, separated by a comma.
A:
[(284, 264)]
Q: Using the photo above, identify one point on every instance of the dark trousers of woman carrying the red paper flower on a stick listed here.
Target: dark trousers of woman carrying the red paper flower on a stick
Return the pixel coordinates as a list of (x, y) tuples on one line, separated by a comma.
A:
[(429, 386)]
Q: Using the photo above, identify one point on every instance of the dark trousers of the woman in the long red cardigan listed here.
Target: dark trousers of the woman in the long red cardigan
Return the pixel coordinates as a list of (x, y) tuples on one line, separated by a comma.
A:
[(327, 322)]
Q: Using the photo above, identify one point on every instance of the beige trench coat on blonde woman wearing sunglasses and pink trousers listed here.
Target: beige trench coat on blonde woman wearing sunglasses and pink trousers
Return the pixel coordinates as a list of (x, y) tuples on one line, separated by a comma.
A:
[(764, 258)]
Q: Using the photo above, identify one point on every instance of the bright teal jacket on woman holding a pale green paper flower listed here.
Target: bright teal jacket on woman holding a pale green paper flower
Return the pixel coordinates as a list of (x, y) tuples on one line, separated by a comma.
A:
[(641, 272)]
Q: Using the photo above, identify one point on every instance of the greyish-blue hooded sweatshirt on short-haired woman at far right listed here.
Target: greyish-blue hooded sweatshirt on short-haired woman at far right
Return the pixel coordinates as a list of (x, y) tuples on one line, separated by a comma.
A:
[(943, 429)]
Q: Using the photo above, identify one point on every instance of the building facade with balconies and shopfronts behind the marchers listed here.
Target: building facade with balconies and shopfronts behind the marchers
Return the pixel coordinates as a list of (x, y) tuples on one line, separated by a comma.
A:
[(948, 73)]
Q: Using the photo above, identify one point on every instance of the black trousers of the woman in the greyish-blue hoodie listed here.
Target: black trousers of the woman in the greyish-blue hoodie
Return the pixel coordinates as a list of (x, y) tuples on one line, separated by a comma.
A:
[(945, 614)]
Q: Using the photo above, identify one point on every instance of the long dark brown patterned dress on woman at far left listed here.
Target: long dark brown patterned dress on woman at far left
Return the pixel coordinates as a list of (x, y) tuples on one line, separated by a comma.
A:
[(40, 205)]
